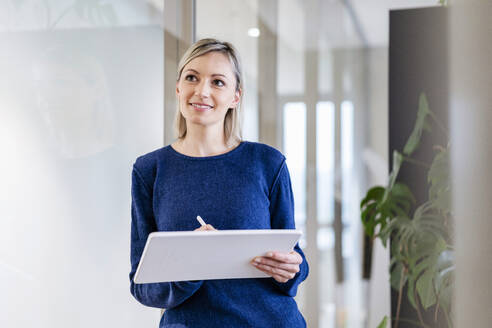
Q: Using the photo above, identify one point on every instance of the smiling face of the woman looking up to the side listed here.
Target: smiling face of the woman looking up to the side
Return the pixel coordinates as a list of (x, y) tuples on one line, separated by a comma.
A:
[(206, 90)]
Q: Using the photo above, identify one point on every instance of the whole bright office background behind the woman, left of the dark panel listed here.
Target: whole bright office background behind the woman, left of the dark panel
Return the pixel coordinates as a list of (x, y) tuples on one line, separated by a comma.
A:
[(86, 86)]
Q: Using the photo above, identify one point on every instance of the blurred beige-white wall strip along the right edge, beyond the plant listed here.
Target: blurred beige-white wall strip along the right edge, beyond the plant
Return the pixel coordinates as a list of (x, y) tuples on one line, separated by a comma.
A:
[(470, 51)]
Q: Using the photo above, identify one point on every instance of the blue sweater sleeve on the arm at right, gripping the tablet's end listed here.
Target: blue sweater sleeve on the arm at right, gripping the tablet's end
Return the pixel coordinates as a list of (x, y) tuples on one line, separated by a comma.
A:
[(282, 217)]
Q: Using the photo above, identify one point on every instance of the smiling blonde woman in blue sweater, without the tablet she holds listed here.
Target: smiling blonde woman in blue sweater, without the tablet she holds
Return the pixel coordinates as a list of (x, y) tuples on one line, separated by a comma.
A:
[(233, 184)]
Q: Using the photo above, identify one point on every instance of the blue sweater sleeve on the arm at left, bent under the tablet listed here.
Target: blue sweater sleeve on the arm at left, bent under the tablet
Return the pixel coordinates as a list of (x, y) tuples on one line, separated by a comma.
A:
[(160, 295)]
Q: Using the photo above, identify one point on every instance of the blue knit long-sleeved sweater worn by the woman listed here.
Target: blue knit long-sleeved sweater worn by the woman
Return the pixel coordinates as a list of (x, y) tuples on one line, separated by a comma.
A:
[(246, 188)]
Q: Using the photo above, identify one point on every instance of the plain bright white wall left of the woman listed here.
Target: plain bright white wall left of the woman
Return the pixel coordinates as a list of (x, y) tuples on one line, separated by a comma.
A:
[(79, 101)]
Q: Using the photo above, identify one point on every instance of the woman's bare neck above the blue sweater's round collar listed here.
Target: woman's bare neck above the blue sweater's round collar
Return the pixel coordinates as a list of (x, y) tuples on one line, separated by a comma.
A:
[(203, 141)]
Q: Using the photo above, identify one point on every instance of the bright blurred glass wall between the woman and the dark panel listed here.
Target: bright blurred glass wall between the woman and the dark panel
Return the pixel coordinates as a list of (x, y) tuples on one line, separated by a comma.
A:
[(327, 112)]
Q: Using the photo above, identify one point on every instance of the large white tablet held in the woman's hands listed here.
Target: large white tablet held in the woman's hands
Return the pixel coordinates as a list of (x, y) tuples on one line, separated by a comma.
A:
[(200, 255)]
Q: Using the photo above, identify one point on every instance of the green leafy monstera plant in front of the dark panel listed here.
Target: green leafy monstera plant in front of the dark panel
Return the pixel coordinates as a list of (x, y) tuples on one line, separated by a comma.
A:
[(421, 234)]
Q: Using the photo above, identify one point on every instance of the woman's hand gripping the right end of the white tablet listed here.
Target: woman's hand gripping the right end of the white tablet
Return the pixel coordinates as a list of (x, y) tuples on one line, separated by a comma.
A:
[(280, 266)]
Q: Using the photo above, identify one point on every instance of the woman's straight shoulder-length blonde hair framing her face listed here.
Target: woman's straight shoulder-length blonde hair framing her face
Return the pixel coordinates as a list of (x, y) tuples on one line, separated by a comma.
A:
[(233, 118)]
